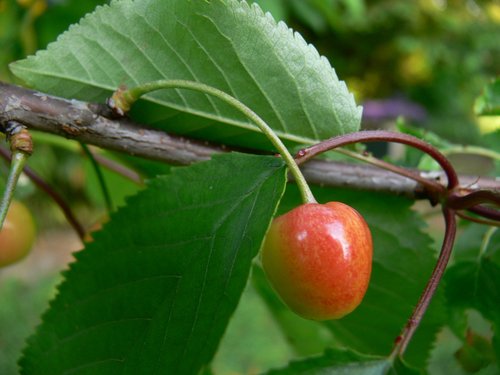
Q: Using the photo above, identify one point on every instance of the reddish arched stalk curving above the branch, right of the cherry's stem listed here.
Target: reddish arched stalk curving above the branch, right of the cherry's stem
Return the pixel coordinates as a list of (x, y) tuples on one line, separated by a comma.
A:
[(381, 136)]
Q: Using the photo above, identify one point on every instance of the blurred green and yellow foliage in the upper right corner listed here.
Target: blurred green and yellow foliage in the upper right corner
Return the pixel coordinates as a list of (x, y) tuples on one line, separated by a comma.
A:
[(435, 53)]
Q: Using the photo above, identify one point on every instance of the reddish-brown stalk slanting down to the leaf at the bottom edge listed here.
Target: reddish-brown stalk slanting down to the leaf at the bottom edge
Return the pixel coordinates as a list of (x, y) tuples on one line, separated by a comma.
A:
[(404, 338)]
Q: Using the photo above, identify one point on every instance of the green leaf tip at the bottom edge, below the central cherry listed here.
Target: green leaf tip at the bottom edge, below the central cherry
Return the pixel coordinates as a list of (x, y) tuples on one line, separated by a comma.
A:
[(345, 362)]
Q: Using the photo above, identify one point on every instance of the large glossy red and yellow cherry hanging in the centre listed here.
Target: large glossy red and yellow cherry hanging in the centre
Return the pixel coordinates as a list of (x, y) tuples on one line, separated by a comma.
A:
[(318, 258)]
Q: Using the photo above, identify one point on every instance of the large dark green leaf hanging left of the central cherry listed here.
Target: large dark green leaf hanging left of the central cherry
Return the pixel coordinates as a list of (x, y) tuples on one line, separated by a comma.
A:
[(154, 292)]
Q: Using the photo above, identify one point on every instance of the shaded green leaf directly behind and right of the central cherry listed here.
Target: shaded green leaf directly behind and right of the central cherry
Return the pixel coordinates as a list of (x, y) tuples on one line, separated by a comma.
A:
[(403, 261)]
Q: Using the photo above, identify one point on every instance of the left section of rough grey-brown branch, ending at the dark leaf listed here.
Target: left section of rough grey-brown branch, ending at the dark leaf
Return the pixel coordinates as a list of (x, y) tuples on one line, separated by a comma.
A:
[(84, 122)]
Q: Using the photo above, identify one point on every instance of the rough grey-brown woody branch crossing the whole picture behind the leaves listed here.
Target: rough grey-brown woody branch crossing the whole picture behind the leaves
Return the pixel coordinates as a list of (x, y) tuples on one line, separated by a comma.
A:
[(88, 123)]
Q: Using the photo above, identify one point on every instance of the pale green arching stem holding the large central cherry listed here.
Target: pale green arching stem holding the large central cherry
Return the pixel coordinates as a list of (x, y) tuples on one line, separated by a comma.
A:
[(122, 100)]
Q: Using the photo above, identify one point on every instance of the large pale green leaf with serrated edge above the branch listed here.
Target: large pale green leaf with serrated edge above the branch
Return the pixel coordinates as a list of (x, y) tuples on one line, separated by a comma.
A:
[(226, 44)]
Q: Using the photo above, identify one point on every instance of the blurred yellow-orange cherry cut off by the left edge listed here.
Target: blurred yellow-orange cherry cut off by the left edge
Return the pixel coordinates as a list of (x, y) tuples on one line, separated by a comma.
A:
[(17, 234)]
